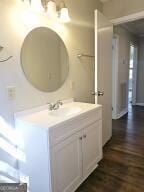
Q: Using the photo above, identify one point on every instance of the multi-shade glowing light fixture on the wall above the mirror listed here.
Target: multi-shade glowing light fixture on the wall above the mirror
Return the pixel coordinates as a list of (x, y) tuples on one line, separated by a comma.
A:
[(50, 7)]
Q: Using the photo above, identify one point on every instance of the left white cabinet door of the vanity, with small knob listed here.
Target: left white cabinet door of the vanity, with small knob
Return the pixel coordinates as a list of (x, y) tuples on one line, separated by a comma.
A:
[(67, 164)]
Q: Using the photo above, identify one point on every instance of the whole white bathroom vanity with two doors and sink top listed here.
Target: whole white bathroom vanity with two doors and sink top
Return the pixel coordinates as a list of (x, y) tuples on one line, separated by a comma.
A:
[(62, 146)]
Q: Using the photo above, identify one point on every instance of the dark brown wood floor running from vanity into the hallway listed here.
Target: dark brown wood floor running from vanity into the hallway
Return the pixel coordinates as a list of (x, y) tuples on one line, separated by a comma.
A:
[(122, 168)]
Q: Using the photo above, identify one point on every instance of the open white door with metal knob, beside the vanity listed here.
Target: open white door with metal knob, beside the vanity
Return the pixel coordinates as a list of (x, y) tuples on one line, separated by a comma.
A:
[(103, 71)]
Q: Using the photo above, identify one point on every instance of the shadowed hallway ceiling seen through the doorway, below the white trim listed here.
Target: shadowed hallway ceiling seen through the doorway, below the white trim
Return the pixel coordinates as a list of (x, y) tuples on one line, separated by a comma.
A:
[(136, 27)]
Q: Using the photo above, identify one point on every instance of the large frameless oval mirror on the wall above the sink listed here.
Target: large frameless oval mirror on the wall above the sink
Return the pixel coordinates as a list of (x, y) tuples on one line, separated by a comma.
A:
[(44, 59)]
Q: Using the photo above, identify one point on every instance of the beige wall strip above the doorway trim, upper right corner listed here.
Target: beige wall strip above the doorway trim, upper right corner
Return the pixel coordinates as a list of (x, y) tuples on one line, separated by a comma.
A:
[(117, 8)]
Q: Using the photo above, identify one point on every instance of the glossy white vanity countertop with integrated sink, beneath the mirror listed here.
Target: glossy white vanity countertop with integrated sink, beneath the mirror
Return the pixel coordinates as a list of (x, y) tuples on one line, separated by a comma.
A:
[(42, 116)]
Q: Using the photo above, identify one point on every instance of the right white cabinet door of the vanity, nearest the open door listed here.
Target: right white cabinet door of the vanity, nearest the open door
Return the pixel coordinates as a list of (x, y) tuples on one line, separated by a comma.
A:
[(92, 147)]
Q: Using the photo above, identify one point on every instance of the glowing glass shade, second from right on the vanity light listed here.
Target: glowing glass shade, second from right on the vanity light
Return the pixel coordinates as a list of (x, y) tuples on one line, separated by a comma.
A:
[(51, 9)]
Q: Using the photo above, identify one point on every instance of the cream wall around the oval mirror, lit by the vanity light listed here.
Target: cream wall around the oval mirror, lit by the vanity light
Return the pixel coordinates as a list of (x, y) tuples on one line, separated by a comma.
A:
[(16, 21)]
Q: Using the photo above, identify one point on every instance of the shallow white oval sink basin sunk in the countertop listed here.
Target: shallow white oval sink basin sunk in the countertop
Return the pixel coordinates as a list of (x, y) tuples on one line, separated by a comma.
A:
[(65, 111)]
